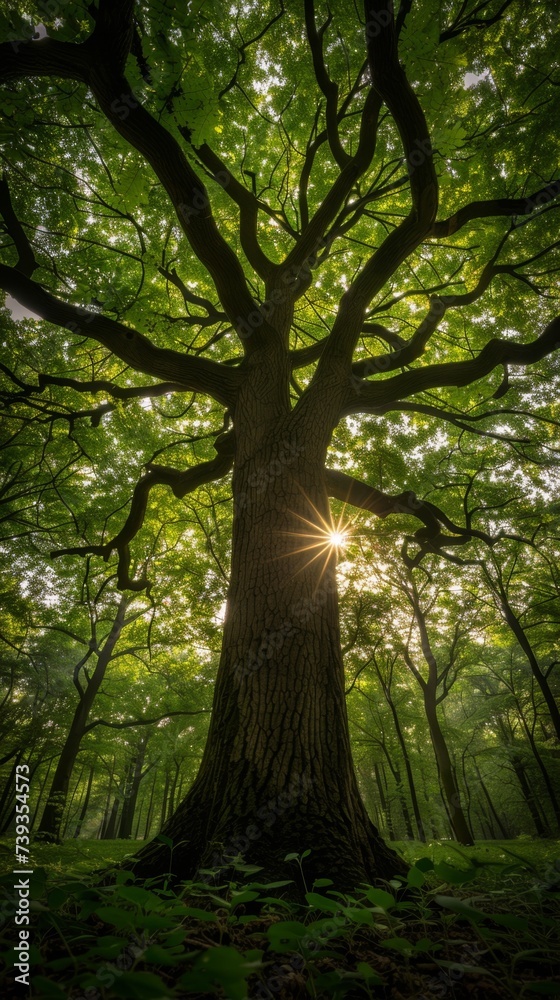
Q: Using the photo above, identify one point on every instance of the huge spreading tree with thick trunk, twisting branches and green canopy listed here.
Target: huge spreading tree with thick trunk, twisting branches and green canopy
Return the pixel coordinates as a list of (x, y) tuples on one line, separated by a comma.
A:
[(302, 154)]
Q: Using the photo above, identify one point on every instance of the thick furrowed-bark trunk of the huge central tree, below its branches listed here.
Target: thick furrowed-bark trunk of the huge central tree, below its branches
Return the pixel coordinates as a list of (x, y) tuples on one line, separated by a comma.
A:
[(277, 774)]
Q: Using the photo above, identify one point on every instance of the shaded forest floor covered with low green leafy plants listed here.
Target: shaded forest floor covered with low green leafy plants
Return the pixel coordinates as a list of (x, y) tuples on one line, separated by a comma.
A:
[(480, 923)]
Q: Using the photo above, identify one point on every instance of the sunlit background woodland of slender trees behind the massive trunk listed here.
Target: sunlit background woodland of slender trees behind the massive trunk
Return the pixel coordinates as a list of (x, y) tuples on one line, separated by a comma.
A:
[(492, 634)]
